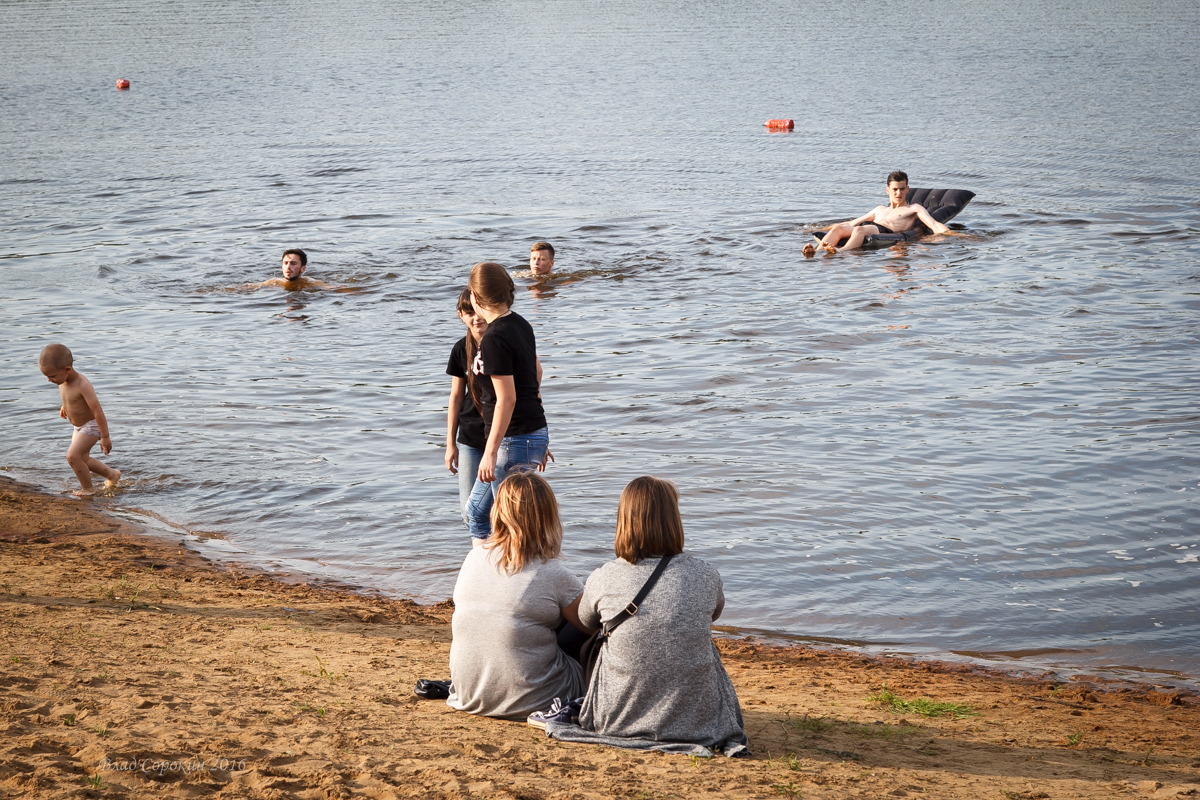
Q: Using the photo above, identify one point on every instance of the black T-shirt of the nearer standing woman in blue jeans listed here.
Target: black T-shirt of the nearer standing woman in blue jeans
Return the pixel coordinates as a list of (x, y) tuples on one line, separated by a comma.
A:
[(509, 348)]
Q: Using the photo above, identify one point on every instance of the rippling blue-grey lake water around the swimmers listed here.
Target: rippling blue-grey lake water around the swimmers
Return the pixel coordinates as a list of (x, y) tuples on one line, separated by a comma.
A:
[(983, 446)]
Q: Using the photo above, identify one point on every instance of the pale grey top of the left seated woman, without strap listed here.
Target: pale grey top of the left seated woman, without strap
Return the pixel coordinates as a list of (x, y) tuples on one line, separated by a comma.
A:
[(505, 659)]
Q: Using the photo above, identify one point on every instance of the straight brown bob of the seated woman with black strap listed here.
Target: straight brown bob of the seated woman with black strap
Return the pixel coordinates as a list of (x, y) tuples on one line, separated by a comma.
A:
[(649, 522)]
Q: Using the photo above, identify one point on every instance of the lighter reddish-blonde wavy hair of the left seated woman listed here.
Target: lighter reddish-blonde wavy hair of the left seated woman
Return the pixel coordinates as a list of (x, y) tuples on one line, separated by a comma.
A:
[(525, 522)]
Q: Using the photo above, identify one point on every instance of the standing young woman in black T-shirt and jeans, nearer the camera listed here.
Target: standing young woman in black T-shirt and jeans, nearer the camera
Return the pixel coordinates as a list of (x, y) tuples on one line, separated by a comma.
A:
[(508, 376)]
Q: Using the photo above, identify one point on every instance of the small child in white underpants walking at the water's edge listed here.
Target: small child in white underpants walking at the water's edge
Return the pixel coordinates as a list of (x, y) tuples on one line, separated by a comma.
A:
[(82, 408)]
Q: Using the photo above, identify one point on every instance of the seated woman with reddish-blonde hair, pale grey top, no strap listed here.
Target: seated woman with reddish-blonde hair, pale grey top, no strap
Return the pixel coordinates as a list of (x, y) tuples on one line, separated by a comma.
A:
[(512, 597)]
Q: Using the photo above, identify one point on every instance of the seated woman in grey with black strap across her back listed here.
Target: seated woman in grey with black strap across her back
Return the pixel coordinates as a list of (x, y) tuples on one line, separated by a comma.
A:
[(659, 677)]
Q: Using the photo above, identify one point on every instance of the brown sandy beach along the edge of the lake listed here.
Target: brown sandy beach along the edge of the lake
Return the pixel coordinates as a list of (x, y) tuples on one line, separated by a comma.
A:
[(134, 667)]
